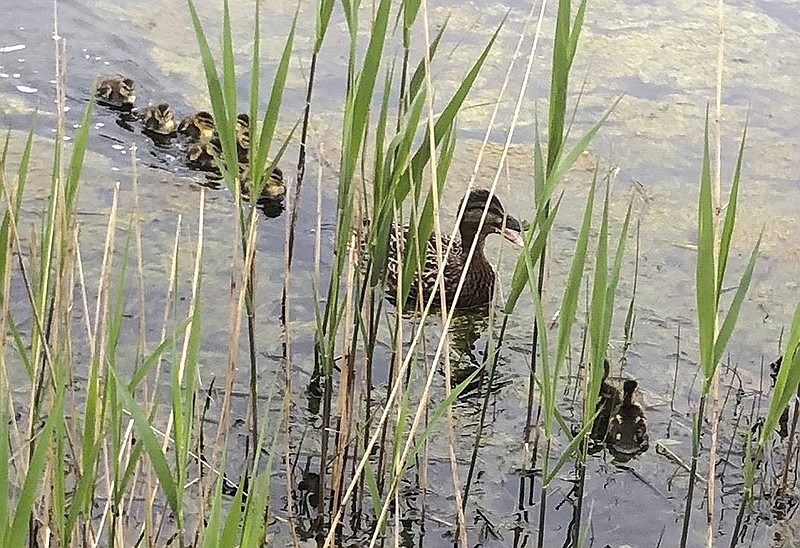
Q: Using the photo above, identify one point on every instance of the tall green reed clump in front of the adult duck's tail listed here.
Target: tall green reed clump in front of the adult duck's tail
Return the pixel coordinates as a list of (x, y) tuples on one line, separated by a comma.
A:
[(398, 166)]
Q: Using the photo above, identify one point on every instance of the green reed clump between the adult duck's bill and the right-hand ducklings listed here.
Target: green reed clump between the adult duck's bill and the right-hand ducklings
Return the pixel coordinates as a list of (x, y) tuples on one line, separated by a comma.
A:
[(549, 168)]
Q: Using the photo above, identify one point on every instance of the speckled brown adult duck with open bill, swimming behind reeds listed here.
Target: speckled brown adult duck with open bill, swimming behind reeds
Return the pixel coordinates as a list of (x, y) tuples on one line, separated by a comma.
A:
[(478, 287)]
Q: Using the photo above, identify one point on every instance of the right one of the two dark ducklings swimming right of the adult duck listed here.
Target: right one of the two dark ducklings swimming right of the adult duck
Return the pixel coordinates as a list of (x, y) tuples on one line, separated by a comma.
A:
[(627, 431)]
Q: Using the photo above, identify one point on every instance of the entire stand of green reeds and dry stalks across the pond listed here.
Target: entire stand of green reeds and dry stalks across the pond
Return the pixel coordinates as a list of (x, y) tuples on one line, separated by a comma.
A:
[(393, 175)]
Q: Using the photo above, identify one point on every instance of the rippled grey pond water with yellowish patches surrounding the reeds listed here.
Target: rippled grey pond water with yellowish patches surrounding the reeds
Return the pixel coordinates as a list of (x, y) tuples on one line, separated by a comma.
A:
[(660, 55)]
